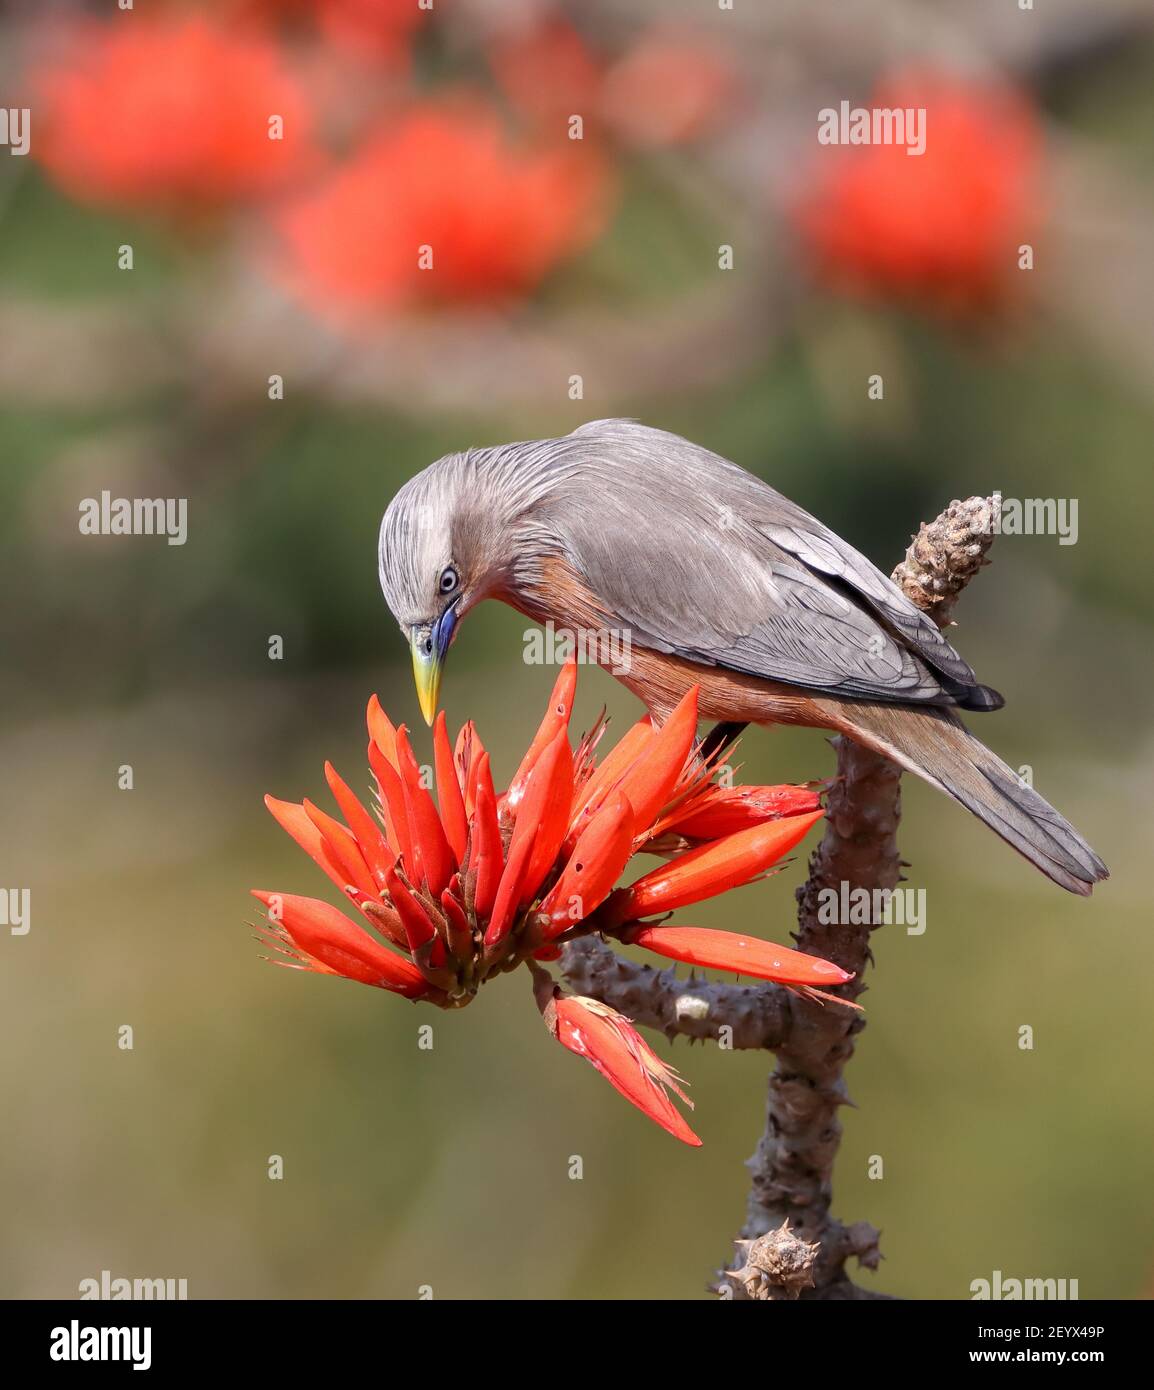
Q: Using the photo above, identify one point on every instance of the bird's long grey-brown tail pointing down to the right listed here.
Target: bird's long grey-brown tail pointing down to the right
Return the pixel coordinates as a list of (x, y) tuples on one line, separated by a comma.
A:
[(936, 744)]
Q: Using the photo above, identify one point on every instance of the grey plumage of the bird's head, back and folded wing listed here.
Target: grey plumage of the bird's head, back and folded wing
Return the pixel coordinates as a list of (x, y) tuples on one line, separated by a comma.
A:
[(764, 589)]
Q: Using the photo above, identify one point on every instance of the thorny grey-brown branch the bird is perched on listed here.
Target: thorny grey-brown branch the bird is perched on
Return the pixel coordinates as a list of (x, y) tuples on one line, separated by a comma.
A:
[(790, 1245)]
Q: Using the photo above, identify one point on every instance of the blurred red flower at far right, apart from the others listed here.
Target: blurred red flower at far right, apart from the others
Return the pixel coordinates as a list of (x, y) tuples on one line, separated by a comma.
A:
[(941, 229)]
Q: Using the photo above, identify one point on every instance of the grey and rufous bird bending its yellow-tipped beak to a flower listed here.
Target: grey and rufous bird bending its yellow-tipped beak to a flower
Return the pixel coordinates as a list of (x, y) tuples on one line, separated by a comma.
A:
[(706, 576)]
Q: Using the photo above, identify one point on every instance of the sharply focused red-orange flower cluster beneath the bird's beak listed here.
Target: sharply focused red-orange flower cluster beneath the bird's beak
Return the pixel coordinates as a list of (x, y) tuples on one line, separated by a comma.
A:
[(473, 885)]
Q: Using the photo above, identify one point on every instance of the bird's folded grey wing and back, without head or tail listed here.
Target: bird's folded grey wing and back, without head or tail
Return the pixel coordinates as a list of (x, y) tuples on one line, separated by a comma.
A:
[(701, 559)]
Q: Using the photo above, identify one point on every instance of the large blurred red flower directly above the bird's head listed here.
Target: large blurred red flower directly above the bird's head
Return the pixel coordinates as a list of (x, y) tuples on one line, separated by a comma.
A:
[(441, 206)]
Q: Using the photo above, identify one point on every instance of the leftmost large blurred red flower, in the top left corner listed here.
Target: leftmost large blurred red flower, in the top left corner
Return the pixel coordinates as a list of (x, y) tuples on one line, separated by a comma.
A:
[(170, 113)]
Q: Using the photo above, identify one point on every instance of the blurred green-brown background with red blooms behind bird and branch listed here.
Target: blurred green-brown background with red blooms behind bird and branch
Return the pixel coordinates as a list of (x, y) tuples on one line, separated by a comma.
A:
[(574, 279)]
